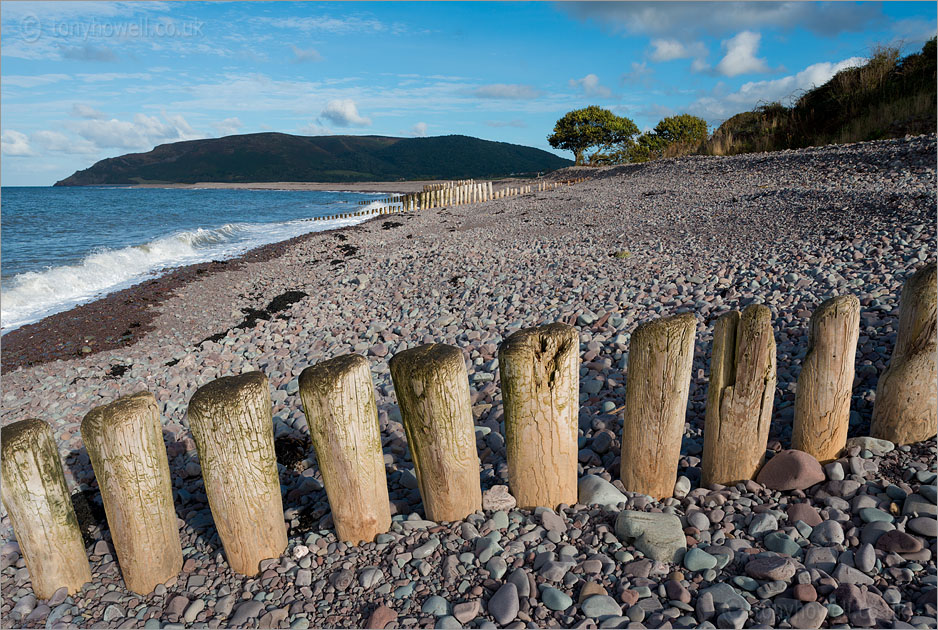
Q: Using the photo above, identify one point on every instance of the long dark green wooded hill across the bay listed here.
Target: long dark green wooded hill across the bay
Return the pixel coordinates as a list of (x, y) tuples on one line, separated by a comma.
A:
[(280, 157)]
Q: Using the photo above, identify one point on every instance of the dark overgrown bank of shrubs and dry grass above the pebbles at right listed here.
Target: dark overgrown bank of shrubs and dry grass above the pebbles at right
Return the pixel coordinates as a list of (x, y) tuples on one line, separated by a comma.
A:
[(887, 98)]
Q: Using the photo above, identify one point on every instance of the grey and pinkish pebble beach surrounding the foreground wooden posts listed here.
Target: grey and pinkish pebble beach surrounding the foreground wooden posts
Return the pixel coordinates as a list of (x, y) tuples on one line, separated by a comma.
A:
[(697, 234)]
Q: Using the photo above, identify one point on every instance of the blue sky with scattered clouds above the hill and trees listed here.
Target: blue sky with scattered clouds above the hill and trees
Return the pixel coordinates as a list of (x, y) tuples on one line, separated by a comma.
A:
[(82, 81)]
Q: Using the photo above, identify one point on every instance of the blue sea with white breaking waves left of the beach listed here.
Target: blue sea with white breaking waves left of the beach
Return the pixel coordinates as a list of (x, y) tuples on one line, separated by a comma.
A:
[(64, 246)]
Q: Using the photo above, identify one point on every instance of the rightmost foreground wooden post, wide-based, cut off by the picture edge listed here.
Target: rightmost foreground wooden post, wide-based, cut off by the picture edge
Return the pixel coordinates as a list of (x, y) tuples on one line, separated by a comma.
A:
[(906, 408)]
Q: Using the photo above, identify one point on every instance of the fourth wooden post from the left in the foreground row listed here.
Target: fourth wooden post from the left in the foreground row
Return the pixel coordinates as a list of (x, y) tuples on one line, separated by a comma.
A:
[(339, 402)]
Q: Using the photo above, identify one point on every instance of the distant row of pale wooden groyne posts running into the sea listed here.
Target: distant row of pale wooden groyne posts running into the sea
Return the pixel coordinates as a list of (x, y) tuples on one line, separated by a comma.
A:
[(453, 193)]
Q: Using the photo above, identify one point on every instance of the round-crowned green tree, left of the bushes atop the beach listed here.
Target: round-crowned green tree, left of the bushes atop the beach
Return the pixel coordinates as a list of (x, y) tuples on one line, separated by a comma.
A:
[(591, 126)]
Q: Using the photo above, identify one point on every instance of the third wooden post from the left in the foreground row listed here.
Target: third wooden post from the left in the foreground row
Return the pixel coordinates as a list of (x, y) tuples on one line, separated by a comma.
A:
[(231, 422)]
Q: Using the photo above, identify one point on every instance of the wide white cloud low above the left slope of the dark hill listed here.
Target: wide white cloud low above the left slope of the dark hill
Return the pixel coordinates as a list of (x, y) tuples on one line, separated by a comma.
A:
[(144, 132)]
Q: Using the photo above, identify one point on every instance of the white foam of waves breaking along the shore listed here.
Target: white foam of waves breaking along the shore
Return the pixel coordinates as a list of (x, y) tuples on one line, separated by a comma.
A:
[(33, 295)]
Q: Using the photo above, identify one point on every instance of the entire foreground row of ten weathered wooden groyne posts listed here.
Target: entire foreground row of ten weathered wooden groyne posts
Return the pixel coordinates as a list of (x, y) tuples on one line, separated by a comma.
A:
[(231, 423)]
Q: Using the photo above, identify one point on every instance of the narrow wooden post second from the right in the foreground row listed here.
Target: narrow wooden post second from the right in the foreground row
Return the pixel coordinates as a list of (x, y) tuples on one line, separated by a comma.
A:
[(822, 399)]
